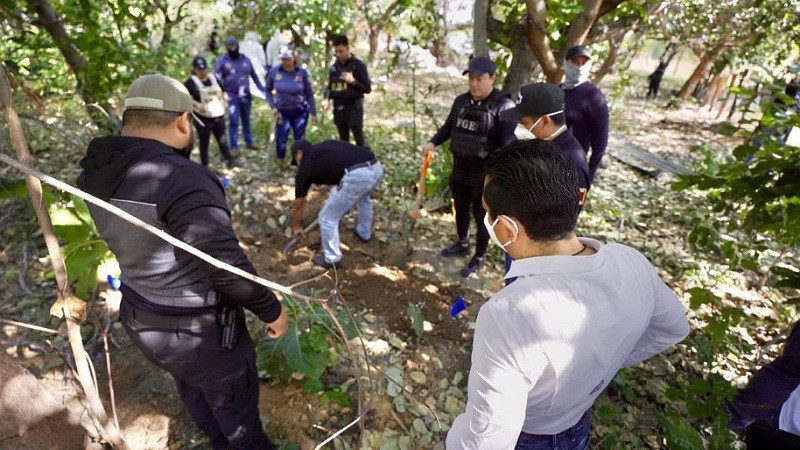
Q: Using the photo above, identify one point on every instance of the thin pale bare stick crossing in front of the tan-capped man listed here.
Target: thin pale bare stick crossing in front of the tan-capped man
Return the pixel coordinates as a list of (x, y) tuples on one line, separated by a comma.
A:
[(151, 229)]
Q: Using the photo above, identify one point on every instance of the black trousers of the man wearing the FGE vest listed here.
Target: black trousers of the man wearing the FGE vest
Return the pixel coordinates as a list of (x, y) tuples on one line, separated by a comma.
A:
[(467, 194)]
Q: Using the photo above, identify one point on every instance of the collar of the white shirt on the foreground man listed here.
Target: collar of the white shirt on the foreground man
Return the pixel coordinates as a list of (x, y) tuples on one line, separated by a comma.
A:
[(559, 263)]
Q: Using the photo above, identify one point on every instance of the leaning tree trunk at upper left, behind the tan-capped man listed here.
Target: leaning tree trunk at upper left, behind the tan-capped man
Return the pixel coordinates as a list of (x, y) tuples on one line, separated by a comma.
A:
[(101, 112)]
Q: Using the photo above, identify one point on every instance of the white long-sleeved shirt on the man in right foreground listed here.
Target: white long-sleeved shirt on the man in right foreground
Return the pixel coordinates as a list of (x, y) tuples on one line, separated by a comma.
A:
[(548, 344)]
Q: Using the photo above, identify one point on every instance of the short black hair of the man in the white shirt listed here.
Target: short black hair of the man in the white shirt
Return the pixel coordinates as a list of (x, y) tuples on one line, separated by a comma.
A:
[(534, 182)]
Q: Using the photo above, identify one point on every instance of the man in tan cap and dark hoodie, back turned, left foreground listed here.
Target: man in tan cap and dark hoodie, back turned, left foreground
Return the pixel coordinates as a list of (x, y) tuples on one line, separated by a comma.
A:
[(185, 315)]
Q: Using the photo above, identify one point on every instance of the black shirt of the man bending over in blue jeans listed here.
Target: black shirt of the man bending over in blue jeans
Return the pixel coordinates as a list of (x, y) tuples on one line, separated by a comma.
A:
[(325, 162)]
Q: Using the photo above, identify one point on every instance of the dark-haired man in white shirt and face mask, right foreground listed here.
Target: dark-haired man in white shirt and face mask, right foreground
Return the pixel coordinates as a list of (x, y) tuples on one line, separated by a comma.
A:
[(547, 345)]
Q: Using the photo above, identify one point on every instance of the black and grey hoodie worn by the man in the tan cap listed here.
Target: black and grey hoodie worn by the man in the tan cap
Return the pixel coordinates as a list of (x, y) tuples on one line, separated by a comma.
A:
[(151, 181)]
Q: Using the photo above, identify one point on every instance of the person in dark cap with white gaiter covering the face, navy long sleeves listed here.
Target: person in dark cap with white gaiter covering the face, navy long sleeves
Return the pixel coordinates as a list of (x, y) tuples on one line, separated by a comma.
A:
[(585, 106)]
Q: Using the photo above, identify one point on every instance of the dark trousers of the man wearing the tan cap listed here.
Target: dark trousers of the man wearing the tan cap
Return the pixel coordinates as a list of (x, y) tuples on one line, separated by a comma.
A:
[(219, 387)]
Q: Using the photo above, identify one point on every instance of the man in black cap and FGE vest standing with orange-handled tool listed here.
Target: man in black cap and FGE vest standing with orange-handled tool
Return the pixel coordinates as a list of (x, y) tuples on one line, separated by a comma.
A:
[(475, 130)]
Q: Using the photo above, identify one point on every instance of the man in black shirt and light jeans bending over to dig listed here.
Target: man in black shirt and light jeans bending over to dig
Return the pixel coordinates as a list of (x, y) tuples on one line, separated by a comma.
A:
[(354, 173)]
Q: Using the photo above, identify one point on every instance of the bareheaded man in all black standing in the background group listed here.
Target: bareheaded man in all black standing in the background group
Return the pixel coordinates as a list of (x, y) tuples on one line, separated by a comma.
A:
[(348, 82)]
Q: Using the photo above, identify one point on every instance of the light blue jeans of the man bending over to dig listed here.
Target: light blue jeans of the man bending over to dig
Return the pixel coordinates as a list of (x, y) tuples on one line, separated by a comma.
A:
[(356, 187)]
